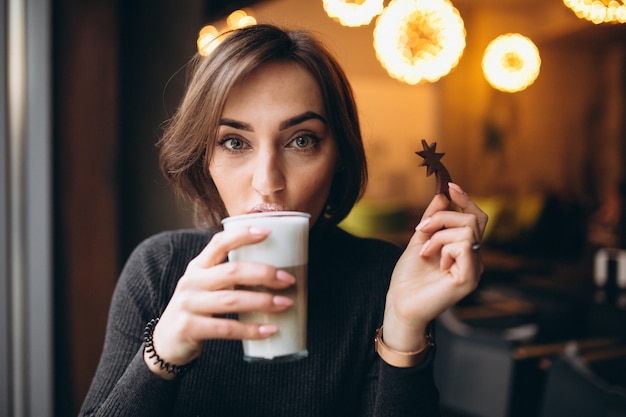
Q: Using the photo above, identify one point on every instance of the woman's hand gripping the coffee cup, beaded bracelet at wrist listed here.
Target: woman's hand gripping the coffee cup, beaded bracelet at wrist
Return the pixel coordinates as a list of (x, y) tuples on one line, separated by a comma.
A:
[(206, 291)]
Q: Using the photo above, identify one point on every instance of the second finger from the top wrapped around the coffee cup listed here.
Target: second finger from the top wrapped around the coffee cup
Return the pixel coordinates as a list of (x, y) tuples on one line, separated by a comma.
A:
[(230, 274)]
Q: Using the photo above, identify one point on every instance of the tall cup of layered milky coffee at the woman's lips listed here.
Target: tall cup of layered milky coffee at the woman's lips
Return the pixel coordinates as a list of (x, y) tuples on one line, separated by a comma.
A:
[(287, 248)]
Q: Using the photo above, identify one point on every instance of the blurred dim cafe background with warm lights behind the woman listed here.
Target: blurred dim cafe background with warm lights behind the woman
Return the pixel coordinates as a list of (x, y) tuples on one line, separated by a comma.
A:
[(525, 99)]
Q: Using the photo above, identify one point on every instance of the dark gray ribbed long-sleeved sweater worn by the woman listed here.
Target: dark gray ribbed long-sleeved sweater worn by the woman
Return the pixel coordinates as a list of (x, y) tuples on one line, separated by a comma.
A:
[(342, 376)]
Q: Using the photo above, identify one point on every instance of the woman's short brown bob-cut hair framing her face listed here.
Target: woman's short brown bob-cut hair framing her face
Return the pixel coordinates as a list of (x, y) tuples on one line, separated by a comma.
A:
[(189, 138)]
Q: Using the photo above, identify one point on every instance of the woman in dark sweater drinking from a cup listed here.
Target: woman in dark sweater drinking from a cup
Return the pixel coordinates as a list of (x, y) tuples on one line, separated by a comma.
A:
[(269, 123)]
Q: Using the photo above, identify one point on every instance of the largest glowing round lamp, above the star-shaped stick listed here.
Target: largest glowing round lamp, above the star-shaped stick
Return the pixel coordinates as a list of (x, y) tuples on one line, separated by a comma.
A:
[(418, 40)]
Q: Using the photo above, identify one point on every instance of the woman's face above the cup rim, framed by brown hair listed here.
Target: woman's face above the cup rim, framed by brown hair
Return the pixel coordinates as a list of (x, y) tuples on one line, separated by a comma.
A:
[(274, 150)]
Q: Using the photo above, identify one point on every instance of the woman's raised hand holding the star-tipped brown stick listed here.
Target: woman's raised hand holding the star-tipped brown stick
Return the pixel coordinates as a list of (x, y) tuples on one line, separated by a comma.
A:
[(437, 269)]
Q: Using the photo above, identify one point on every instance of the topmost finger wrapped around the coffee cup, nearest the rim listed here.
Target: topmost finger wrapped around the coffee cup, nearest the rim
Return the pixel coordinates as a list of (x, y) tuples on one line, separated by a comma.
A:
[(222, 242)]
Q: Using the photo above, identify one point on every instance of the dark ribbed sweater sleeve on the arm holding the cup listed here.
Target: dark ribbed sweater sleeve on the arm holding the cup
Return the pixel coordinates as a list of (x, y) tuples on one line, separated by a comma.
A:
[(123, 385)]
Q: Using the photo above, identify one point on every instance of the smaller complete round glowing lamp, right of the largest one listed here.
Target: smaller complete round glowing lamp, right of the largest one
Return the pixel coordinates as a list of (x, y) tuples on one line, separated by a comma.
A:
[(511, 62)]
